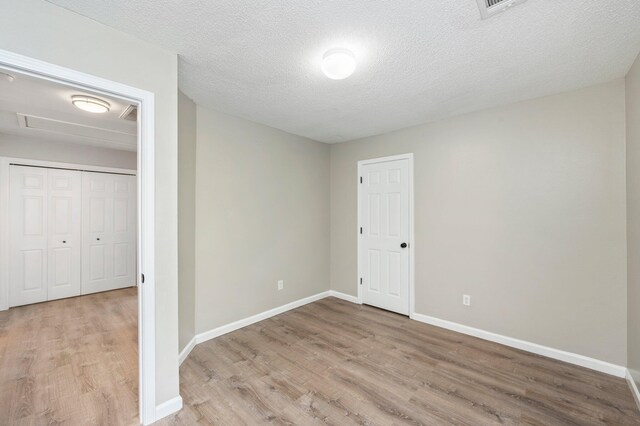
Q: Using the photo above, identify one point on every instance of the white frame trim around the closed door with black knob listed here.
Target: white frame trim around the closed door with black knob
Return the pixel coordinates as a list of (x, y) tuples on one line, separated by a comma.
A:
[(411, 241)]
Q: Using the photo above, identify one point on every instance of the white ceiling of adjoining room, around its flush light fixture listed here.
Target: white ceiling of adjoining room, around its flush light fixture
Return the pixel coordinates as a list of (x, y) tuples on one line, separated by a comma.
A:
[(47, 105)]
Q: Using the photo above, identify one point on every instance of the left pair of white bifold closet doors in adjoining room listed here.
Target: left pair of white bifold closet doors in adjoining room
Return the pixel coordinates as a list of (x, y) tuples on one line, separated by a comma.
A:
[(45, 234)]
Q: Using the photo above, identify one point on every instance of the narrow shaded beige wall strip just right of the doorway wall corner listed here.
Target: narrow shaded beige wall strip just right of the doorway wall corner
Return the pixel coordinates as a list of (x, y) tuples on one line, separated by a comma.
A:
[(186, 218)]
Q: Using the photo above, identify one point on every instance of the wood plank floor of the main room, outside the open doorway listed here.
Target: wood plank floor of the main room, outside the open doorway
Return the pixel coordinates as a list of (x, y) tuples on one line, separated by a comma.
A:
[(333, 362)]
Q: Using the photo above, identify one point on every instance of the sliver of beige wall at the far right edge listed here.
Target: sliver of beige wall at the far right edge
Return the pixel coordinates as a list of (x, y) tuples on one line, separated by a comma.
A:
[(633, 217)]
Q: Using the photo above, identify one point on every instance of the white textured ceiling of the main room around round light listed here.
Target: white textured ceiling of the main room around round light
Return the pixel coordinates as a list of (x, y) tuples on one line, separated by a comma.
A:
[(418, 60)]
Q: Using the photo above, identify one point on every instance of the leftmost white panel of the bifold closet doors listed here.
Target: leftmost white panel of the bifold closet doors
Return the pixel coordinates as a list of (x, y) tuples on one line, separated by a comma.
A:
[(28, 235)]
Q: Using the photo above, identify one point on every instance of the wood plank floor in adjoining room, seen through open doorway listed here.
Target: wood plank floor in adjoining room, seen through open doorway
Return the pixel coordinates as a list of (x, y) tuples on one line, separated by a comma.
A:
[(71, 361)]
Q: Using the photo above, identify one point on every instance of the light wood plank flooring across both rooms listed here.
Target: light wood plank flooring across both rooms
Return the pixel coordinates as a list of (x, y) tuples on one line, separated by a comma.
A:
[(74, 361)]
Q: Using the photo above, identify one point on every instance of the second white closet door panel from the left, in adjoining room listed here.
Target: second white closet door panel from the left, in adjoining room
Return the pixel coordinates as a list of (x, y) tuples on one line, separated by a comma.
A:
[(64, 212)]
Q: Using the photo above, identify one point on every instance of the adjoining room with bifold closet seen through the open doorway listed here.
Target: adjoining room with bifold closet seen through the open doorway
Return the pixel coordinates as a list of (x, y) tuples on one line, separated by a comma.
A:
[(69, 319)]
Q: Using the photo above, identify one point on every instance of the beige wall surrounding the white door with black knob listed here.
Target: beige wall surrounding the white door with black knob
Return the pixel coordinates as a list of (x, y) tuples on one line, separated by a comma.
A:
[(523, 208)]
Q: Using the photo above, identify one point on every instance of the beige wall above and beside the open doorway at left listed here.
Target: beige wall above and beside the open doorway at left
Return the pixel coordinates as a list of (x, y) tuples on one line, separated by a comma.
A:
[(49, 33)]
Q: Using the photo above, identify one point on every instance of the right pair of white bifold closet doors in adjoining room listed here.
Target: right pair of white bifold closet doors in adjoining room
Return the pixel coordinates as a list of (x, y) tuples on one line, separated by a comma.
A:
[(108, 231)]
